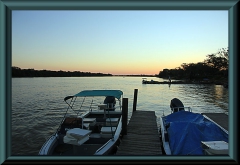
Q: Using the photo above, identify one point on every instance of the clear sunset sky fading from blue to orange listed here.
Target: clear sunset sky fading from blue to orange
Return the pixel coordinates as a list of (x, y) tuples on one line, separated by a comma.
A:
[(121, 42)]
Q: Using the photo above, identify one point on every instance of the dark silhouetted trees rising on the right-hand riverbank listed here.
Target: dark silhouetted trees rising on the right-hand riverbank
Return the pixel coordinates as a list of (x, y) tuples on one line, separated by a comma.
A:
[(214, 68)]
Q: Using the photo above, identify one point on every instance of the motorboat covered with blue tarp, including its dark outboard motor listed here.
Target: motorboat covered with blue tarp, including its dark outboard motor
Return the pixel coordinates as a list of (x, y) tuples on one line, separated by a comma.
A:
[(184, 132)]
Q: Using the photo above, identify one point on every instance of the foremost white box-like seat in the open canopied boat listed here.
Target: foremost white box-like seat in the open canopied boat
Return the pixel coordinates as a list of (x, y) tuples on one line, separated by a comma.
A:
[(76, 136)]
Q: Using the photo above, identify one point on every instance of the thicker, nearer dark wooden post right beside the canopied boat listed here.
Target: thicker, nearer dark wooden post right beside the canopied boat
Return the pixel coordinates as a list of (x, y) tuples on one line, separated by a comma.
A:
[(124, 116)]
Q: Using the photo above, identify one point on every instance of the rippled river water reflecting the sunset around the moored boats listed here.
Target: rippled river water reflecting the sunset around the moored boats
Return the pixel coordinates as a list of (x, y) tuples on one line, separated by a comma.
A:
[(38, 106)]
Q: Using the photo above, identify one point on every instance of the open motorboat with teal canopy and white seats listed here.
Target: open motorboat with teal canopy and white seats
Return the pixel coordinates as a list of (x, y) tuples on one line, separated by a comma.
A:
[(91, 125)]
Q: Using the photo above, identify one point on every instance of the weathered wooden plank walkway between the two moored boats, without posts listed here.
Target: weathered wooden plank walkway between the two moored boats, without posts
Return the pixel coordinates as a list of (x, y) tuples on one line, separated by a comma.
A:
[(142, 135)]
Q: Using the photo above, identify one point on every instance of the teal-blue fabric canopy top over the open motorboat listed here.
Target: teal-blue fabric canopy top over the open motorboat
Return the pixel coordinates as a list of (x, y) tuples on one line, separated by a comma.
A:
[(87, 93)]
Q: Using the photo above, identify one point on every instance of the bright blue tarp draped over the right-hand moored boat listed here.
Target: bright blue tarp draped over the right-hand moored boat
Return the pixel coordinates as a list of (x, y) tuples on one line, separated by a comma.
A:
[(186, 130)]
